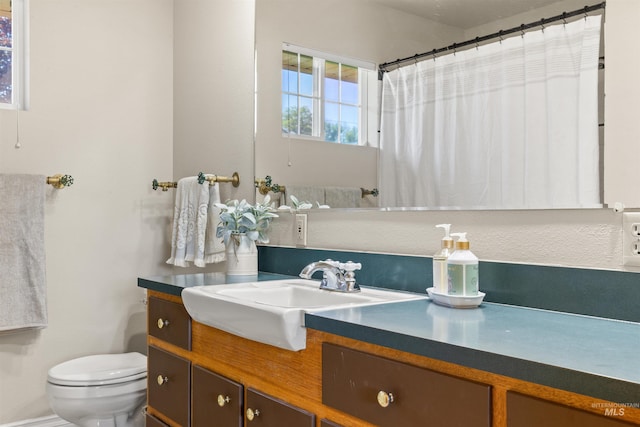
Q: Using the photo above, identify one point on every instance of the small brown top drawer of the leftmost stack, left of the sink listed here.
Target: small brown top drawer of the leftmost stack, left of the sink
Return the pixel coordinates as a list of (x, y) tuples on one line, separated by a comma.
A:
[(170, 322)]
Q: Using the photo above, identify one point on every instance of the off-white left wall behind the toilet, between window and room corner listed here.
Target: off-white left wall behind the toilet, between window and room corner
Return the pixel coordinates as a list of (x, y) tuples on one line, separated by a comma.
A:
[(101, 110)]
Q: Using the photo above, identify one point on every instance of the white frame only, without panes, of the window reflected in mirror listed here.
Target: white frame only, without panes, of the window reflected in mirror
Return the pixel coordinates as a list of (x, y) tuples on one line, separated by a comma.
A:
[(366, 72)]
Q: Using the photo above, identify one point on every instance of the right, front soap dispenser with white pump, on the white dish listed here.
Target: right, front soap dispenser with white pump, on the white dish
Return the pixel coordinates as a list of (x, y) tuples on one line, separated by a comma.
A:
[(462, 269)]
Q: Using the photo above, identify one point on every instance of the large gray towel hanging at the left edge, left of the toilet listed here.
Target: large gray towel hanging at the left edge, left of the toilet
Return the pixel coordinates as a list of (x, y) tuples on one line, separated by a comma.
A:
[(23, 303)]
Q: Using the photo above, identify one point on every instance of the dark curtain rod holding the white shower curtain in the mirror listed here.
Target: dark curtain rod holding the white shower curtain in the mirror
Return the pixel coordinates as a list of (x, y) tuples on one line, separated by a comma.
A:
[(382, 68)]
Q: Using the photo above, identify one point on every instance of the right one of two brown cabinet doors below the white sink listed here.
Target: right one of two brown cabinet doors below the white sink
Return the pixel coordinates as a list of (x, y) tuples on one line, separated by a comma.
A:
[(266, 411)]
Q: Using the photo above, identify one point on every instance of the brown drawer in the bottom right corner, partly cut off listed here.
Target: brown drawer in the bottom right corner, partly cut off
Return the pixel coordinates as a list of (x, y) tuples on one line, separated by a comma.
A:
[(527, 411)]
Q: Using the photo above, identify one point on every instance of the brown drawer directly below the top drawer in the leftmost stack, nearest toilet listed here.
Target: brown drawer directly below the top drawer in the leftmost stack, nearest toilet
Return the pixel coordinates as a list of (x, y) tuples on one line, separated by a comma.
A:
[(168, 385)]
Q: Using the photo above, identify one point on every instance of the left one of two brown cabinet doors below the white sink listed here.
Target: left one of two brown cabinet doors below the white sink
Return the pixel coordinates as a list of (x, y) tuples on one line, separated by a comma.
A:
[(215, 400)]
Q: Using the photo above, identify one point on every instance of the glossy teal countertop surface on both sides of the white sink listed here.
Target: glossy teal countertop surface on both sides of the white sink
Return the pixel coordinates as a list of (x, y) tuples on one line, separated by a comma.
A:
[(588, 355)]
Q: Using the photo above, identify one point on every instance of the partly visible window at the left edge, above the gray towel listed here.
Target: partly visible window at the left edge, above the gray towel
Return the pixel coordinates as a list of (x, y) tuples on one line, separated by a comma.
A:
[(12, 68)]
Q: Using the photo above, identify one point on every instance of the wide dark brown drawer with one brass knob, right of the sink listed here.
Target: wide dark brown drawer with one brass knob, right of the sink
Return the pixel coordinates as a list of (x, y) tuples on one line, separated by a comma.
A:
[(390, 393)]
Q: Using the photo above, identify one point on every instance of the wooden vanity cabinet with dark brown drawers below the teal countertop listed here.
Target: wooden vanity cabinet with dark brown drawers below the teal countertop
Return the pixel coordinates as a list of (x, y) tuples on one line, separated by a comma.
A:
[(201, 376)]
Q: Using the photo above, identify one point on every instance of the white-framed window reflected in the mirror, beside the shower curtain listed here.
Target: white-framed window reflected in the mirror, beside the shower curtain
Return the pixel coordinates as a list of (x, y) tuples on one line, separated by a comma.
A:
[(326, 97)]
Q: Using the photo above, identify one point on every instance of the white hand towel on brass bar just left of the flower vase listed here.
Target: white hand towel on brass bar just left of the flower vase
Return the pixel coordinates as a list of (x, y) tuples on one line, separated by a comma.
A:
[(189, 223)]
